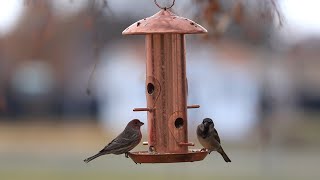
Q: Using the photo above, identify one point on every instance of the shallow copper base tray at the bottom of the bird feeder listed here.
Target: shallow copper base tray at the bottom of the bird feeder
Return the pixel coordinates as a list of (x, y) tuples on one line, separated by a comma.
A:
[(148, 157)]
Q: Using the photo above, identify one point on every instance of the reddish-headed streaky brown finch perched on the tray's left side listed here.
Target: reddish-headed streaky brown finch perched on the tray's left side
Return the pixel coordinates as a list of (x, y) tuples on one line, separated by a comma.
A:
[(125, 142)]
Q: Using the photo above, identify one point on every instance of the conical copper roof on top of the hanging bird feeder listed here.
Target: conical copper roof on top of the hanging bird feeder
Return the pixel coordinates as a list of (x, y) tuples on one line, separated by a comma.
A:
[(164, 21)]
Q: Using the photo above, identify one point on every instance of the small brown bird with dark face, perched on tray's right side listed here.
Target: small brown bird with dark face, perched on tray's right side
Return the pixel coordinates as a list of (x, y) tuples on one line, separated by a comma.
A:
[(209, 138)]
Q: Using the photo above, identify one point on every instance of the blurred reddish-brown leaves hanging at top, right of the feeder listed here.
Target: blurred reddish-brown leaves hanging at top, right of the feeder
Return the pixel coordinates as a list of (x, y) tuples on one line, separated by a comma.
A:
[(246, 20)]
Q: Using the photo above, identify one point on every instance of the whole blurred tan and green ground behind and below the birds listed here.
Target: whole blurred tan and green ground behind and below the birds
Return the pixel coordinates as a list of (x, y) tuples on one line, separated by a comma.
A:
[(45, 152)]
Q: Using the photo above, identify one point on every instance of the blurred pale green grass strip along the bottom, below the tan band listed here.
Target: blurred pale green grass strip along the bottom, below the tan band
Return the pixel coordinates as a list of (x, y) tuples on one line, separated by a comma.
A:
[(246, 165)]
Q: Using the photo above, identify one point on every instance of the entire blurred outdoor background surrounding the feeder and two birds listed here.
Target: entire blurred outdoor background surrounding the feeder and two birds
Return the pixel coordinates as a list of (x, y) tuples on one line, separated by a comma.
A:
[(256, 73)]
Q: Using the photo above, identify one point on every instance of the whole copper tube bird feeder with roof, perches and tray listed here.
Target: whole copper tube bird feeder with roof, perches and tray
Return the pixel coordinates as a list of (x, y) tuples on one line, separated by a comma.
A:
[(166, 88)]
